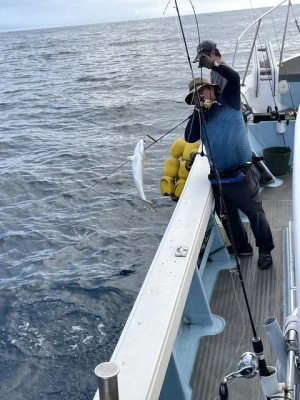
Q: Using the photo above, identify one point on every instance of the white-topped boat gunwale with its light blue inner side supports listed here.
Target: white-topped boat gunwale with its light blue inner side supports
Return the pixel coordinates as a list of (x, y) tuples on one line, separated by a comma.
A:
[(172, 309)]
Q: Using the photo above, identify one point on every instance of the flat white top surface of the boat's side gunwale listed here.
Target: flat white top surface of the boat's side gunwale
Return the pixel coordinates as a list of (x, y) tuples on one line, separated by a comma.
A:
[(146, 343)]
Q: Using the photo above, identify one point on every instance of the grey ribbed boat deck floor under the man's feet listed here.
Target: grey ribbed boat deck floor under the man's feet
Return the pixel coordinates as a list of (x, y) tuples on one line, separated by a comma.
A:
[(219, 355)]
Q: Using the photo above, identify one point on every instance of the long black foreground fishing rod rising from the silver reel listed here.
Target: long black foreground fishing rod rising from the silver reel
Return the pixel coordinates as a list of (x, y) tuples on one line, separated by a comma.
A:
[(256, 341)]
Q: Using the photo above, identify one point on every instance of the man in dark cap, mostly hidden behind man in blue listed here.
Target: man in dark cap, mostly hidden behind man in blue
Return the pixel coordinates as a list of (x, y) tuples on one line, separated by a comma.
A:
[(209, 48)]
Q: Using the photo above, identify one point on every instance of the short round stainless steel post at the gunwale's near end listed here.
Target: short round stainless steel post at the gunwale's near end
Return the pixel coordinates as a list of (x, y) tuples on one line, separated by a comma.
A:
[(108, 380)]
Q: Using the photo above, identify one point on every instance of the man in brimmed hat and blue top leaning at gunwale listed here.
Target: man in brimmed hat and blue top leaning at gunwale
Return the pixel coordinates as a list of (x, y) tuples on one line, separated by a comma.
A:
[(218, 122)]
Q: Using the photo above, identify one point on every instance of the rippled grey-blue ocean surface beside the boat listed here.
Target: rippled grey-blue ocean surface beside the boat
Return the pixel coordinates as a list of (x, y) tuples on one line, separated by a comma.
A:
[(75, 240)]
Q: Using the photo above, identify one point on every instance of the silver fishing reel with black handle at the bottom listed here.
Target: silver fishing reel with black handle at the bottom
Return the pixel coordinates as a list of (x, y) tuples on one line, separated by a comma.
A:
[(248, 368)]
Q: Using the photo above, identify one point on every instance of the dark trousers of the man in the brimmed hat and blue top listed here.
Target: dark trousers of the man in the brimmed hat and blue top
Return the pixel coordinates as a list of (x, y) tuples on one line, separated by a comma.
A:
[(245, 196)]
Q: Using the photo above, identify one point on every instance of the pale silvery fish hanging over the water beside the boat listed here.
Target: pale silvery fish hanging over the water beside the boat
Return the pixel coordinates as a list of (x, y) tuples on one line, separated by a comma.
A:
[(138, 160)]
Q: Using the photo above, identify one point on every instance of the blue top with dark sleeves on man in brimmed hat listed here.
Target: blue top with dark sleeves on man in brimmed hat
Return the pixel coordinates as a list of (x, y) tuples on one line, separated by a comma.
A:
[(222, 128)]
